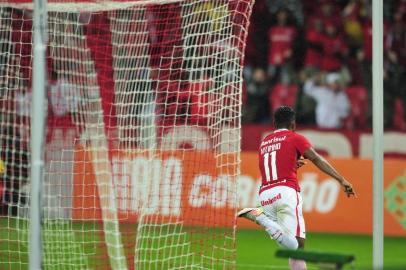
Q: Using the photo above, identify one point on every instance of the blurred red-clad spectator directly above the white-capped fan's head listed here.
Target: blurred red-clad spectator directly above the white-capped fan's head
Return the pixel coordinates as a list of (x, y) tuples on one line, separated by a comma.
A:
[(334, 50)]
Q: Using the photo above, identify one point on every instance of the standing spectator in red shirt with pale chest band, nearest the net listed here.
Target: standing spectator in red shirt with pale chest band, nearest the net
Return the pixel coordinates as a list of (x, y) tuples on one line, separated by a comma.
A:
[(281, 39)]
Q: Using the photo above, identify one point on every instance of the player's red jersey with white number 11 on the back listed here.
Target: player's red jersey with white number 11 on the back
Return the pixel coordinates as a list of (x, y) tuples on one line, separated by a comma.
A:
[(278, 155)]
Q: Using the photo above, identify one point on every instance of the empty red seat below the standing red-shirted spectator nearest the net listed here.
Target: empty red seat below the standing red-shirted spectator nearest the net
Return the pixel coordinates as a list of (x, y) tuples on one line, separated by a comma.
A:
[(283, 94)]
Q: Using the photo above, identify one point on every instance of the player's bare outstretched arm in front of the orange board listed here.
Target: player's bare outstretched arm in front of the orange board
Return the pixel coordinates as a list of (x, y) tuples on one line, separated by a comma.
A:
[(327, 168)]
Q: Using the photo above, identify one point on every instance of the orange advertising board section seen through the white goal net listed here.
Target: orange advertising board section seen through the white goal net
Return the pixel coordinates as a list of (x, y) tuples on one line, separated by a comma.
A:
[(183, 186)]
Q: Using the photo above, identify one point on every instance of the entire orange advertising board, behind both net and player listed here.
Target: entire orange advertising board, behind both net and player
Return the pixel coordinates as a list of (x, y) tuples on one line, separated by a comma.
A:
[(189, 187)]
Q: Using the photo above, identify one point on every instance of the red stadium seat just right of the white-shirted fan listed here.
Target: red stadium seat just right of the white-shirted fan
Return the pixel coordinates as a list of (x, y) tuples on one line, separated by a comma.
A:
[(358, 96)]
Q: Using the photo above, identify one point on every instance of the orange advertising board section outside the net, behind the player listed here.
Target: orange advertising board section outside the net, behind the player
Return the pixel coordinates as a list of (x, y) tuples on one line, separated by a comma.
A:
[(327, 209)]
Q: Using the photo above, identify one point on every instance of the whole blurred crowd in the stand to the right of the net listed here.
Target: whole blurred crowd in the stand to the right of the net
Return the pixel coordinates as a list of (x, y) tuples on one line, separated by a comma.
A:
[(316, 55)]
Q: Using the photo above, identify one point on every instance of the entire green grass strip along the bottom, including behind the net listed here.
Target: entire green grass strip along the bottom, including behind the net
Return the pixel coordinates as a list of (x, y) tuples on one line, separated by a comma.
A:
[(255, 250)]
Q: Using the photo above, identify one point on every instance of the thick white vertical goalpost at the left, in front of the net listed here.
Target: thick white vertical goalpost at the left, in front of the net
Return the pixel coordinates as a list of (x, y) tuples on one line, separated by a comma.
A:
[(38, 116)]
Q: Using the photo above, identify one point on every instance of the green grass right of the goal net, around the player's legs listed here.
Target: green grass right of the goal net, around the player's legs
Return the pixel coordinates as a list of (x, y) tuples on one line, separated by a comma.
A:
[(255, 251)]
